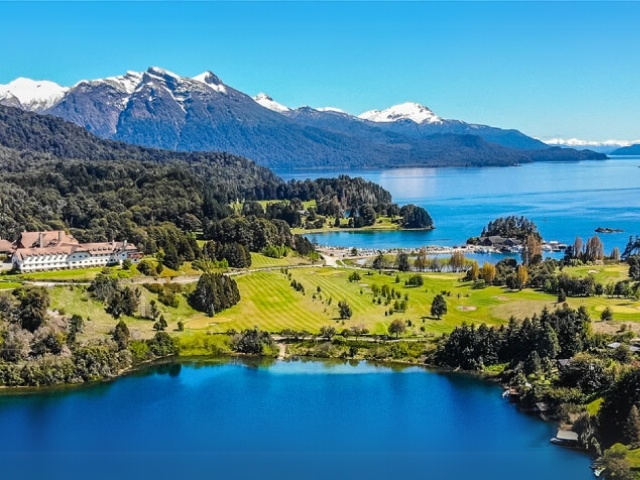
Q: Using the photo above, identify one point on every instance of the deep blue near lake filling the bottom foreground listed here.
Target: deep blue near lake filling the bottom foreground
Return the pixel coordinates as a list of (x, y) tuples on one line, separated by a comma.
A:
[(280, 420)]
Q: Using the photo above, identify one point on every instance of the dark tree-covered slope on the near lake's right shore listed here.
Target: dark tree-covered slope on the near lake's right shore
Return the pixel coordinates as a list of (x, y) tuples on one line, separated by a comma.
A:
[(554, 358)]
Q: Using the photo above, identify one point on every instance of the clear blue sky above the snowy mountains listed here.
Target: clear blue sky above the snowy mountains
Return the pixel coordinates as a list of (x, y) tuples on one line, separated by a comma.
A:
[(550, 69)]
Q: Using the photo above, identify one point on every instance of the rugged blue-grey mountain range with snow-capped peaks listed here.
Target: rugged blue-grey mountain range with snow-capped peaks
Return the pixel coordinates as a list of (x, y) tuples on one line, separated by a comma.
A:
[(158, 108)]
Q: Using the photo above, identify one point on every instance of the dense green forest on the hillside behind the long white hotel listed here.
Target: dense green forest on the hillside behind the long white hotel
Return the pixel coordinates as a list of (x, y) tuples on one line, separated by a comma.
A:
[(58, 176)]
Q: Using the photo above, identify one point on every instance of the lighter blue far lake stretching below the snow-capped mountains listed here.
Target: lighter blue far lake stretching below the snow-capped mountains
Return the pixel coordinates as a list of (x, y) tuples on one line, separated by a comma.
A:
[(565, 200)]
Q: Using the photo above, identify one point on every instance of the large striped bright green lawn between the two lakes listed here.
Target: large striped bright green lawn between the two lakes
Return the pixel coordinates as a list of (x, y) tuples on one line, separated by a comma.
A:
[(269, 302)]
